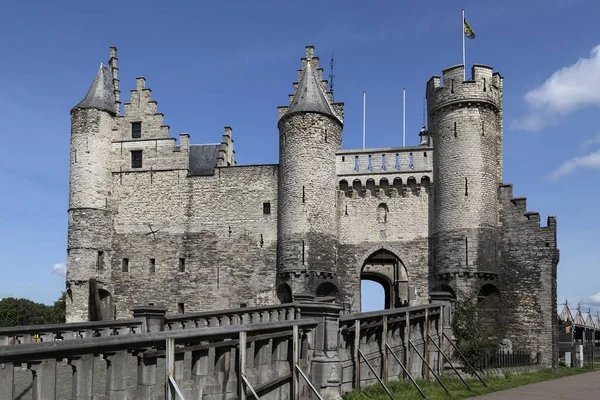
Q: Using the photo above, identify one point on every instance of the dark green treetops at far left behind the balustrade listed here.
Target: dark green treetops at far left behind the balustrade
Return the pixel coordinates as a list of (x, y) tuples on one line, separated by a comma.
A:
[(14, 312)]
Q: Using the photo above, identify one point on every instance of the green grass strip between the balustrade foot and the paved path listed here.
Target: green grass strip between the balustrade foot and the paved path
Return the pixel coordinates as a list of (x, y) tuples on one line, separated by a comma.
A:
[(433, 390)]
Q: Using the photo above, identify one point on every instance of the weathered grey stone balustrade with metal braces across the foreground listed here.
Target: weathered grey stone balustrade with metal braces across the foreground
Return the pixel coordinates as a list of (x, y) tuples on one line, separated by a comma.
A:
[(210, 355)]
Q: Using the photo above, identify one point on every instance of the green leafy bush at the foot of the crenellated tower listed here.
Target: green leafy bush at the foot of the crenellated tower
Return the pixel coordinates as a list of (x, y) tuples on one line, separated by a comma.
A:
[(476, 326)]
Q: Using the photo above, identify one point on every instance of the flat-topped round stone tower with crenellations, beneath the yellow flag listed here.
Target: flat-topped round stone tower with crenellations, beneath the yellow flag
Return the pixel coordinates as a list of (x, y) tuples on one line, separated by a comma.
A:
[(465, 123)]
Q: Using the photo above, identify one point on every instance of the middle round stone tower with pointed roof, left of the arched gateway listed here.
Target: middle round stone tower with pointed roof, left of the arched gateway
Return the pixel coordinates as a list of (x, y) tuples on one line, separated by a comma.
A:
[(310, 134)]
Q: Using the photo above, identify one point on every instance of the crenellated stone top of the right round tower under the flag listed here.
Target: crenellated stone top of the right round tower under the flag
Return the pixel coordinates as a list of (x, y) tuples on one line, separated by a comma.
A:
[(483, 87)]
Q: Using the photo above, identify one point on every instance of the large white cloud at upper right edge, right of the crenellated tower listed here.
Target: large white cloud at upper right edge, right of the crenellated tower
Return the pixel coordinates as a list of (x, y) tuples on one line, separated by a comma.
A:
[(565, 91)]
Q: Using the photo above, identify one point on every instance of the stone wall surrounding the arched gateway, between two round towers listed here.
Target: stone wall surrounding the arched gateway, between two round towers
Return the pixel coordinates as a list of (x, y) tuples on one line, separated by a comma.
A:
[(396, 223)]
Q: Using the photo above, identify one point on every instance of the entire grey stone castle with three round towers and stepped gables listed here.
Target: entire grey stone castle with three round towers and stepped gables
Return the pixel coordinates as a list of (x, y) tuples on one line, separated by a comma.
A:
[(160, 221)]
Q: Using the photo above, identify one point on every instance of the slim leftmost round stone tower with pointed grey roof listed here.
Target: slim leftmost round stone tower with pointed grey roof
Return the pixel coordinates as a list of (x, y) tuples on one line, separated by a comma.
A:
[(90, 183)]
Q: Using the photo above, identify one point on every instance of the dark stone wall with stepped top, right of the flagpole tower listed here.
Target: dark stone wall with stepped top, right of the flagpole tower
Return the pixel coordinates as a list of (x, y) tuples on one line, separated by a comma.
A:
[(528, 269)]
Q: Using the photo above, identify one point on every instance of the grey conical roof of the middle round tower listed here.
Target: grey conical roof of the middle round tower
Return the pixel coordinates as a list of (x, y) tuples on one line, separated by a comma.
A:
[(309, 96)]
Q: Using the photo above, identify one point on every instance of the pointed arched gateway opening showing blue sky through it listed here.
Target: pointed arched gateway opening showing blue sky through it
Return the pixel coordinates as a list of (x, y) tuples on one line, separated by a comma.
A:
[(384, 275)]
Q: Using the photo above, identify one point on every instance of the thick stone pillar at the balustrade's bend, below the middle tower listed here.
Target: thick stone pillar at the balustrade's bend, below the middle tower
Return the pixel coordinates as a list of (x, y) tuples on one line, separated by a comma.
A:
[(326, 366)]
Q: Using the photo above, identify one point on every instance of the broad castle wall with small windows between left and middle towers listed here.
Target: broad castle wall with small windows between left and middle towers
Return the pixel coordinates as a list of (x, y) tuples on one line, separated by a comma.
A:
[(215, 223)]
